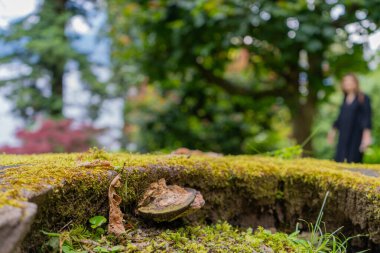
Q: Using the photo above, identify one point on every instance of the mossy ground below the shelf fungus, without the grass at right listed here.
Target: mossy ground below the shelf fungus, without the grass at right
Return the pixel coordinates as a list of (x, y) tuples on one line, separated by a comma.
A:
[(220, 237)]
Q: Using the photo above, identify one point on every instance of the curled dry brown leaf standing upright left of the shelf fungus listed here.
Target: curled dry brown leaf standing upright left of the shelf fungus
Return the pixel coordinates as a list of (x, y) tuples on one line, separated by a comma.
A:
[(115, 225)]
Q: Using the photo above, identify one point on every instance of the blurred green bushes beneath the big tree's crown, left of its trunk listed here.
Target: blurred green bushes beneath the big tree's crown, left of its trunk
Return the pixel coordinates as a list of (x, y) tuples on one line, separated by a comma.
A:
[(159, 122)]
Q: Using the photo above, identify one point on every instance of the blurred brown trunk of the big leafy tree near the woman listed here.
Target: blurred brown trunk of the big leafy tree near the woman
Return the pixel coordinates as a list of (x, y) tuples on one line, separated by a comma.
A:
[(302, 119)]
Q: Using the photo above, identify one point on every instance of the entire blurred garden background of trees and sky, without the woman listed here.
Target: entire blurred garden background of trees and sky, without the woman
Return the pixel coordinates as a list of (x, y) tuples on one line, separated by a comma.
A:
[(230, 77)]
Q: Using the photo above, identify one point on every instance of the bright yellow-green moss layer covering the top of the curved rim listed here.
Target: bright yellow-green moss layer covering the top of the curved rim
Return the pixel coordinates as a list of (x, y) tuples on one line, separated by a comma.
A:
[(37, 171)]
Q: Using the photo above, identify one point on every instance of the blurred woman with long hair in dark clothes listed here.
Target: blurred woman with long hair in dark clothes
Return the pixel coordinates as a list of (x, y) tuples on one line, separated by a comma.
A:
[(353, 123)]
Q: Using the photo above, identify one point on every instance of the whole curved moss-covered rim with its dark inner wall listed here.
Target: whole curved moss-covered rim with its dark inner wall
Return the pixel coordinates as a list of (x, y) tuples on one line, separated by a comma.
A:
[(243, 190)]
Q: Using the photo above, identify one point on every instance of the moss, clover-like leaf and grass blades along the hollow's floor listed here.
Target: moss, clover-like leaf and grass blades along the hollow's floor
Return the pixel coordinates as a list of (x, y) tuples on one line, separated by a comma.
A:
[(220, 237)]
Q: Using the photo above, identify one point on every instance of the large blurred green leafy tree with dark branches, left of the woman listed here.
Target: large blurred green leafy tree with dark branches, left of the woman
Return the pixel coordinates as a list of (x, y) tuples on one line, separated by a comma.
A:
[(288, 52)]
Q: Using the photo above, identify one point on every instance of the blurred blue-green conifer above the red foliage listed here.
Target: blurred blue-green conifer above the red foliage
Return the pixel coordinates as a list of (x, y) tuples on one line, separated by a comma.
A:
[(41, 46)]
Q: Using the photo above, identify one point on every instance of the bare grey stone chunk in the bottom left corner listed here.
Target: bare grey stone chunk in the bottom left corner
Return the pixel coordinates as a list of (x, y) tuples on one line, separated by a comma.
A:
[(15, 223)]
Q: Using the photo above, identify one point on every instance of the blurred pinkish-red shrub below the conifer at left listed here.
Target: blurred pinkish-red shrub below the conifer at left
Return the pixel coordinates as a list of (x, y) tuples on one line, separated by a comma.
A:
[(54, 136)]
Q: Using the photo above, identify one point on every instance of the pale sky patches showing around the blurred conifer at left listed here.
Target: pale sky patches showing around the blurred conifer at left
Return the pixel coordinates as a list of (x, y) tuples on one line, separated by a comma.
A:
[(111, 111)]
